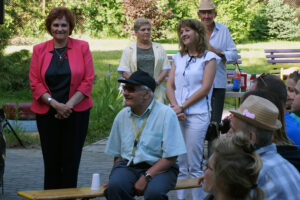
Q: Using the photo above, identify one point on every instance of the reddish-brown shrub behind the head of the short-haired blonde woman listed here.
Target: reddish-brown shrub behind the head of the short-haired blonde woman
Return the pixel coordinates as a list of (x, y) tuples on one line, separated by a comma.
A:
[(149, 9)]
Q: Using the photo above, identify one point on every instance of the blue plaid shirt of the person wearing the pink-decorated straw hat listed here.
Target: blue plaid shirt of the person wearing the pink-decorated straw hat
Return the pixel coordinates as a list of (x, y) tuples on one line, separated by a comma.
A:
[(278, 178)]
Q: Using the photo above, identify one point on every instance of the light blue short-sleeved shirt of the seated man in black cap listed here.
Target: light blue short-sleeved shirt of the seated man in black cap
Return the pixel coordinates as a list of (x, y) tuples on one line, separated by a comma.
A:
[(161, 137)]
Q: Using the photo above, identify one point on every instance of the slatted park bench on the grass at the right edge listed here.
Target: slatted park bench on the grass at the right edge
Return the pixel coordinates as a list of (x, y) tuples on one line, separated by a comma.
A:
[(279, 57)]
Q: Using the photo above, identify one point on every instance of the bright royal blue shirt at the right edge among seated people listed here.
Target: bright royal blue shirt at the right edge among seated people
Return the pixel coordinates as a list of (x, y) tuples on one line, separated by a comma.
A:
[(292, 128)]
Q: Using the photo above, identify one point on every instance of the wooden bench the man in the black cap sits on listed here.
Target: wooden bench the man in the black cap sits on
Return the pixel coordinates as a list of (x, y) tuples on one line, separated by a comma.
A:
[(87, 193)]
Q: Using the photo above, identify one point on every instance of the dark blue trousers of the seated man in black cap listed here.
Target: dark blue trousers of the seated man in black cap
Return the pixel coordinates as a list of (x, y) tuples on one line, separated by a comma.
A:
[(123, 178)]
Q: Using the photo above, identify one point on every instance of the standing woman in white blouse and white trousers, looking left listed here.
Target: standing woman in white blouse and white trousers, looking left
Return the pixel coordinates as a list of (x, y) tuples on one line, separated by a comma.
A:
[(189, 91)]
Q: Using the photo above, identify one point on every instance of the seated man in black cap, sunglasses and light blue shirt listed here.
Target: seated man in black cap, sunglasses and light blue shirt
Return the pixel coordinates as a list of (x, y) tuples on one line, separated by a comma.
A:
[(145, 141)]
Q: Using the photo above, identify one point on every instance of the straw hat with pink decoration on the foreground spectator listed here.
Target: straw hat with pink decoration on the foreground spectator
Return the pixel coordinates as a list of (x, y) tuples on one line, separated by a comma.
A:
[(259, 112)]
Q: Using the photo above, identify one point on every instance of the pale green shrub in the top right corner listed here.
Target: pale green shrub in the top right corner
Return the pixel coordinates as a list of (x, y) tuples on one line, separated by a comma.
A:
[(282, 21)]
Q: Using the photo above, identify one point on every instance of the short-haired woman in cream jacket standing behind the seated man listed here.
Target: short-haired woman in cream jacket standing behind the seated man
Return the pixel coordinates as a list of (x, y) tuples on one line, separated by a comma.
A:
[(146, 56)]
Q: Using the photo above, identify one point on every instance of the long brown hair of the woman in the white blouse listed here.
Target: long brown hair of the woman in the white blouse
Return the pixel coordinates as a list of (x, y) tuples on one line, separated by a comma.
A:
[(201, 37)]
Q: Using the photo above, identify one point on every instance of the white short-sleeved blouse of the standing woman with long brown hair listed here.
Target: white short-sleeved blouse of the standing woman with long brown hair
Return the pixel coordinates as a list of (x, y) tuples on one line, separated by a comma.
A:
[(188, 79)]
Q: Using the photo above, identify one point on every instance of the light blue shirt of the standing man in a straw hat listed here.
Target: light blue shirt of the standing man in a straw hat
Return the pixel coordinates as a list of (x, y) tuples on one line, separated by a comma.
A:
[(222, 40)]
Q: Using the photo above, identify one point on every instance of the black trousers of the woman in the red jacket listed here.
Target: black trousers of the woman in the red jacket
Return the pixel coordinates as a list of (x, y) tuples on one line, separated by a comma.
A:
[(62, 142)]
